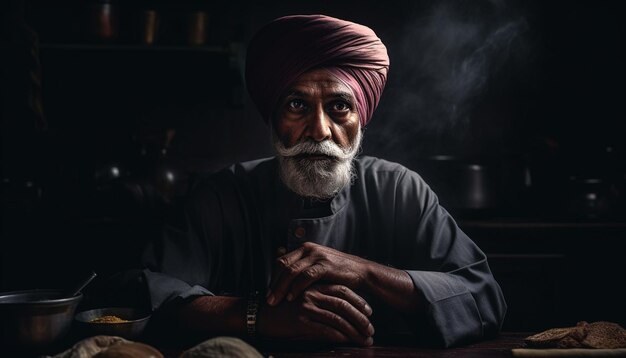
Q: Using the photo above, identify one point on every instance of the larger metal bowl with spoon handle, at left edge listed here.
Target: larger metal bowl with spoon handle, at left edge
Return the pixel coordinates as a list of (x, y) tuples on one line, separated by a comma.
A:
[(35, 319)]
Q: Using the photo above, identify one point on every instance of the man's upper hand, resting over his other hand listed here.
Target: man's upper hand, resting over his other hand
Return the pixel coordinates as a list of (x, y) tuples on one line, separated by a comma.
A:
[(310, 263)]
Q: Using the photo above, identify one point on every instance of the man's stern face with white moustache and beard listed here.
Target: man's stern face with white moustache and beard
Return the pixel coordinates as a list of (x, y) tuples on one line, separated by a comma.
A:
[(317, 134)]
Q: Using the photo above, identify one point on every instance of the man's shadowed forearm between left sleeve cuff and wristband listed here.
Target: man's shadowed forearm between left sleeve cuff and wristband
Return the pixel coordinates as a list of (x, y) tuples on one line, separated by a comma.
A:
[(212, 315)]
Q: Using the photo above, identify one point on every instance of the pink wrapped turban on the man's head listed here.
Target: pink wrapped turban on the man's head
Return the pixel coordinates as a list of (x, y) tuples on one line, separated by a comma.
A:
[(291, 45)]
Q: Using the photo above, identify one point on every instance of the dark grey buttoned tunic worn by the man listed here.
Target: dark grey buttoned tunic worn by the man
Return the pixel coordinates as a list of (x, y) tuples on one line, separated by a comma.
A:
[(235, 221)]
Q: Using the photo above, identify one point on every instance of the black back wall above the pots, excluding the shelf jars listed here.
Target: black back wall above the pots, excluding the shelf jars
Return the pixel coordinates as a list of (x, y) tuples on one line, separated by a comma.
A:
[(531, 90)]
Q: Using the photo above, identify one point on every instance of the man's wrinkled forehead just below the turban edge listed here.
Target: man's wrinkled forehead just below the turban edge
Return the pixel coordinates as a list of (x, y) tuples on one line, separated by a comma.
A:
[(319, 81)]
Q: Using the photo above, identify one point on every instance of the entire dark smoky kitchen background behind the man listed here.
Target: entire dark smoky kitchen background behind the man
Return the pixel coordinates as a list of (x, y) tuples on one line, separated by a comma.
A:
[(512, 110)]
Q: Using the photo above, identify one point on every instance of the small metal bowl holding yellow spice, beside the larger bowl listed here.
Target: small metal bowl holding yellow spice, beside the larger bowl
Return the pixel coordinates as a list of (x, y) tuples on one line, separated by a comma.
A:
[(133, 328)]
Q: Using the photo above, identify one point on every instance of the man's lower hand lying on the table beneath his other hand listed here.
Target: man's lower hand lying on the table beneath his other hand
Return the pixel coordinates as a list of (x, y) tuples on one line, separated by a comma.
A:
[(323, 312)]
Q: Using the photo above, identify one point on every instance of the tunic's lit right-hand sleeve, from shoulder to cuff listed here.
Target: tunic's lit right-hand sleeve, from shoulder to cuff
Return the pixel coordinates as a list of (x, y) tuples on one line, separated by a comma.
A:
[(464, 303)]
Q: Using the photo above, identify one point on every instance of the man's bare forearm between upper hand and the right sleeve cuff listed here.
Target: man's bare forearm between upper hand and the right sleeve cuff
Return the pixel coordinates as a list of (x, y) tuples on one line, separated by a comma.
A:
[(394, 287)]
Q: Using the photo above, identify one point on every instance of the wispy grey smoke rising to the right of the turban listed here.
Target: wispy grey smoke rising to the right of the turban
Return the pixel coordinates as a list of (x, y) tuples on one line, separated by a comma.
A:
[(444, 62)]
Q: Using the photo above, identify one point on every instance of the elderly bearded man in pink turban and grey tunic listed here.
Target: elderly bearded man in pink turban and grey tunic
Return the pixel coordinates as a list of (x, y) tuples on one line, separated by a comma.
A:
[(317, 243)]
